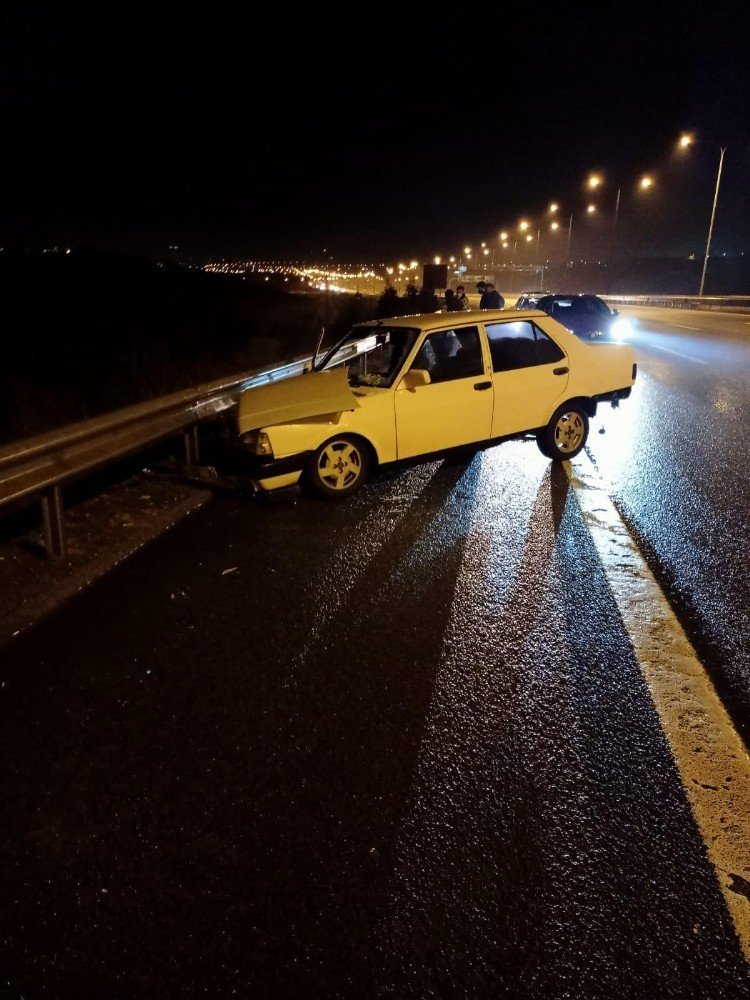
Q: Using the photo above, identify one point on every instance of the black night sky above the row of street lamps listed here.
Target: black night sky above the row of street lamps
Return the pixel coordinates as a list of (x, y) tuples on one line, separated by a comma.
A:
[(372, 132)]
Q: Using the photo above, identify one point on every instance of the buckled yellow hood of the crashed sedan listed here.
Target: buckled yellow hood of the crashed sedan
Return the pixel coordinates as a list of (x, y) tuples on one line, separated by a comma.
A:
[(289, 399)]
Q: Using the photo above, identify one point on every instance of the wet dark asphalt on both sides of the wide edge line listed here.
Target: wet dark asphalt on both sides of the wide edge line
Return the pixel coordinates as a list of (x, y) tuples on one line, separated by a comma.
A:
[(402, 749)]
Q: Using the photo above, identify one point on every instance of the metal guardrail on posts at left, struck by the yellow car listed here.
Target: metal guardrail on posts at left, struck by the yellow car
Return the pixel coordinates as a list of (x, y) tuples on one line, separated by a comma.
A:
[(38, 467)]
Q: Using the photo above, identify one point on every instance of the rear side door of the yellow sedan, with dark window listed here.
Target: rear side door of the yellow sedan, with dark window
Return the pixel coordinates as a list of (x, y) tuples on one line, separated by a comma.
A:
[(530, 375)]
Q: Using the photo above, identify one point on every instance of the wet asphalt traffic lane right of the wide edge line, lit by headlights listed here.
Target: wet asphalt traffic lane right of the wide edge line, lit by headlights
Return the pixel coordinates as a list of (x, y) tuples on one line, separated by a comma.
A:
[(678, 462)]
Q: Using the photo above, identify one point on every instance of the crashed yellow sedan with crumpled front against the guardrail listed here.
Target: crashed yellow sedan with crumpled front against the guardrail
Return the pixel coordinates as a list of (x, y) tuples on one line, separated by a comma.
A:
[(418, 386)]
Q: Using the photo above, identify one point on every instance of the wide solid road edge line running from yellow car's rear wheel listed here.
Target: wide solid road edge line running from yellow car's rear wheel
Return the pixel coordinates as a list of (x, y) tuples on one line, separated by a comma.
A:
[(712, 761)]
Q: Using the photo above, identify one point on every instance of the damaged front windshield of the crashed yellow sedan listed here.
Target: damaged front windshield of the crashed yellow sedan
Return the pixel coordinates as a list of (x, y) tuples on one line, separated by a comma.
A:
[(373, 355)]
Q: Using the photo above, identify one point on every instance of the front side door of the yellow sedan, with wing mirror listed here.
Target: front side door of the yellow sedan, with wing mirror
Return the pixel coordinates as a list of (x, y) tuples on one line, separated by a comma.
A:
[(455, 408)]
